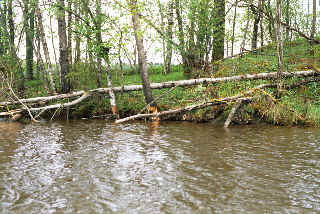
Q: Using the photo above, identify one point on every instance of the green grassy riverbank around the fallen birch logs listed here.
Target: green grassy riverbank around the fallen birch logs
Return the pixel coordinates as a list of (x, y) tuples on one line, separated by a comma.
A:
[(298, 105)]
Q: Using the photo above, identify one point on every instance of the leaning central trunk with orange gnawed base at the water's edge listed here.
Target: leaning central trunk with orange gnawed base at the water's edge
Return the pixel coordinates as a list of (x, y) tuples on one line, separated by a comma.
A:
[(142, 56)]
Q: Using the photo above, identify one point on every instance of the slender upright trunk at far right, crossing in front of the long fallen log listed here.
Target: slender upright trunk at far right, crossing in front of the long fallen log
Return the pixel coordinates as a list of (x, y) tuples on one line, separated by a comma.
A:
[(279, 47)]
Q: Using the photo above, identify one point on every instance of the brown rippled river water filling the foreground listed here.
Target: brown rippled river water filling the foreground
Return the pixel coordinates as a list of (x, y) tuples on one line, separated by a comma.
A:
[(97, 167)]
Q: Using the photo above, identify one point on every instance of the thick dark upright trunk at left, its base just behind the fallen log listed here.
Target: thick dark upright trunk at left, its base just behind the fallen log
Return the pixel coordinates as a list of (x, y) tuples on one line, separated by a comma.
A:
[(63, 48)]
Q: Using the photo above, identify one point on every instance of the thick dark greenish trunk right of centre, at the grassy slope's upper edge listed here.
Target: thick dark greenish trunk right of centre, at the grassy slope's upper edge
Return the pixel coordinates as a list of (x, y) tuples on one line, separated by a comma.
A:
[(218, 44)]
